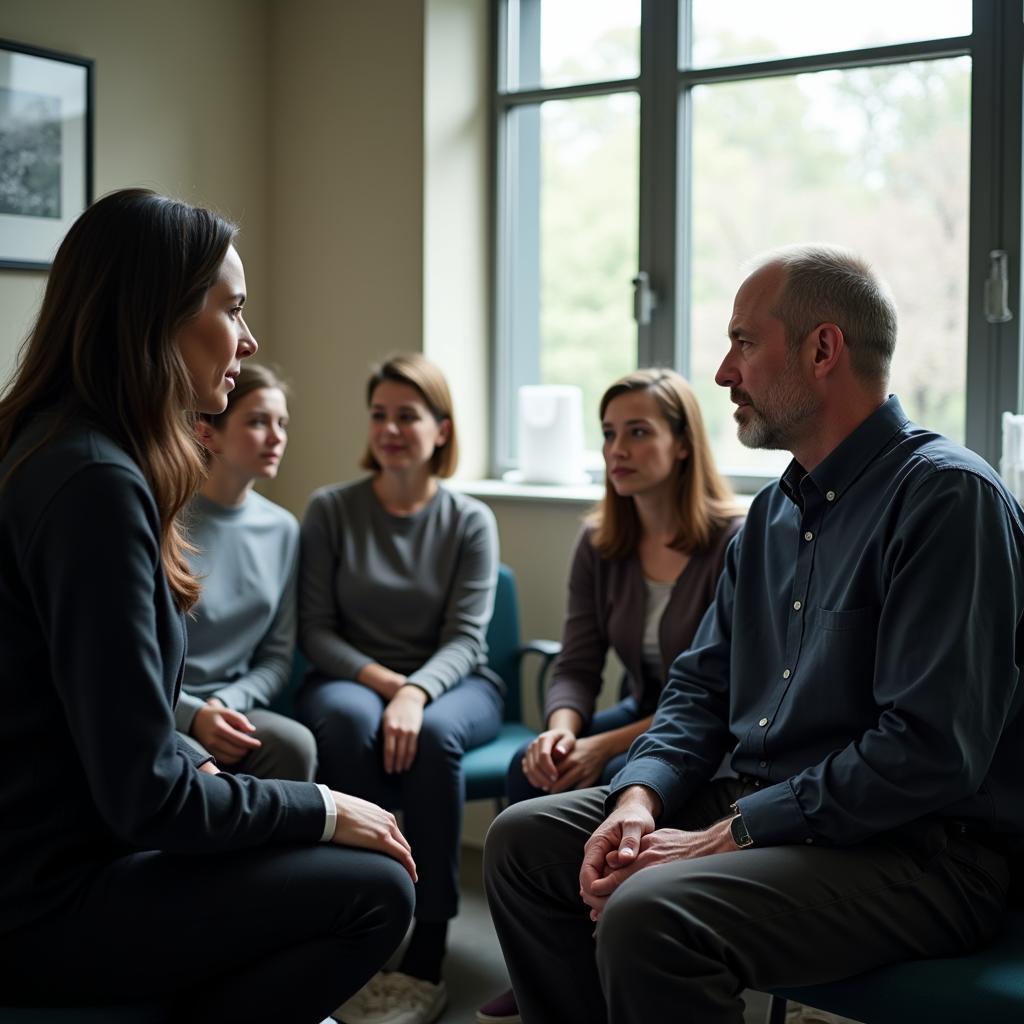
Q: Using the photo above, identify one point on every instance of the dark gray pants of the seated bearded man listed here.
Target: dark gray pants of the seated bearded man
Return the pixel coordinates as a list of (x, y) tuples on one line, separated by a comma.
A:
[(680, 942)]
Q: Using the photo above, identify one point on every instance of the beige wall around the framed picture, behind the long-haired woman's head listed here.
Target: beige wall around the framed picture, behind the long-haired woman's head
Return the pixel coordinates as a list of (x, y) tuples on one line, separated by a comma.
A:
[(181, 102)]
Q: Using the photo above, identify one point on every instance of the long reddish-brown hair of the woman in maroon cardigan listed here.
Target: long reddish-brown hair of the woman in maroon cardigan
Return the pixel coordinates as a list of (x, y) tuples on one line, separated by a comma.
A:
[(704, 502)]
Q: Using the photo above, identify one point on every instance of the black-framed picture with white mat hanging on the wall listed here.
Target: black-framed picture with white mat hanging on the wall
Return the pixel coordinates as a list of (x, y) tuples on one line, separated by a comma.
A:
[(46, 151)]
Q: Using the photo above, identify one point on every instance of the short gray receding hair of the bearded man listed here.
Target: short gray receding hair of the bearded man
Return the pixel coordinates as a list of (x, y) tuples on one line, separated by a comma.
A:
[(827, 284)]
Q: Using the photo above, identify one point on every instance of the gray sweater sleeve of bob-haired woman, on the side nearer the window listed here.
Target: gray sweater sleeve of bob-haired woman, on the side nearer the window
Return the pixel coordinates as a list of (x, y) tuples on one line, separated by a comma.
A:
[(468, 610)]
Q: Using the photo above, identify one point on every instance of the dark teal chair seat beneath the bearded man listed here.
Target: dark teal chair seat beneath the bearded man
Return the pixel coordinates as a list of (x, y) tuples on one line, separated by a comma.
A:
[(987, 988)]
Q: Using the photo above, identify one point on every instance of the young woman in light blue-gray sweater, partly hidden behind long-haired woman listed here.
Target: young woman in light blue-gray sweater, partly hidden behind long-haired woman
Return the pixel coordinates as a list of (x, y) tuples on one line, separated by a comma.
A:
[(242, 631)]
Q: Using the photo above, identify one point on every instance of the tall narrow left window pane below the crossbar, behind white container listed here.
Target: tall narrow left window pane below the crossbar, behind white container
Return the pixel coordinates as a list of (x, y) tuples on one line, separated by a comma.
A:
[(573, 180)]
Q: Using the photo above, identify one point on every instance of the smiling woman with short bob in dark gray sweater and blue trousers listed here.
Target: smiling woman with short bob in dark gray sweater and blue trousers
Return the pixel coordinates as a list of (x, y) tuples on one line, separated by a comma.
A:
[(397, 589)]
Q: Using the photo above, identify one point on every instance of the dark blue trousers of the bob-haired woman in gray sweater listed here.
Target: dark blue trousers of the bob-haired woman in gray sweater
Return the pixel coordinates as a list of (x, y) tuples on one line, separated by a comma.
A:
[(346, 718)]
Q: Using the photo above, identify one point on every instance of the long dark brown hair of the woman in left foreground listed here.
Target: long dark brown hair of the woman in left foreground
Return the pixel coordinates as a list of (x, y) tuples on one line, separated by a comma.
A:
[(132, 272)]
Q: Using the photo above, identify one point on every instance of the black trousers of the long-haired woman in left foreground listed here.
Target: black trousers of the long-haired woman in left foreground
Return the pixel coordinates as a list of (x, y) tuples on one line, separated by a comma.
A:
[(279, 935)]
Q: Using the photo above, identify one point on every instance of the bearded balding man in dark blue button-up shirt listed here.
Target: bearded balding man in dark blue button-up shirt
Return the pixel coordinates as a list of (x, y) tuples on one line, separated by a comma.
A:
[(862, 662)]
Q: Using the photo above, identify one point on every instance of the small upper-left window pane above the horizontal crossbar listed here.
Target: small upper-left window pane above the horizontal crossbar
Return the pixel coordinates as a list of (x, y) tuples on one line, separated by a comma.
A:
[(569, 42)]
